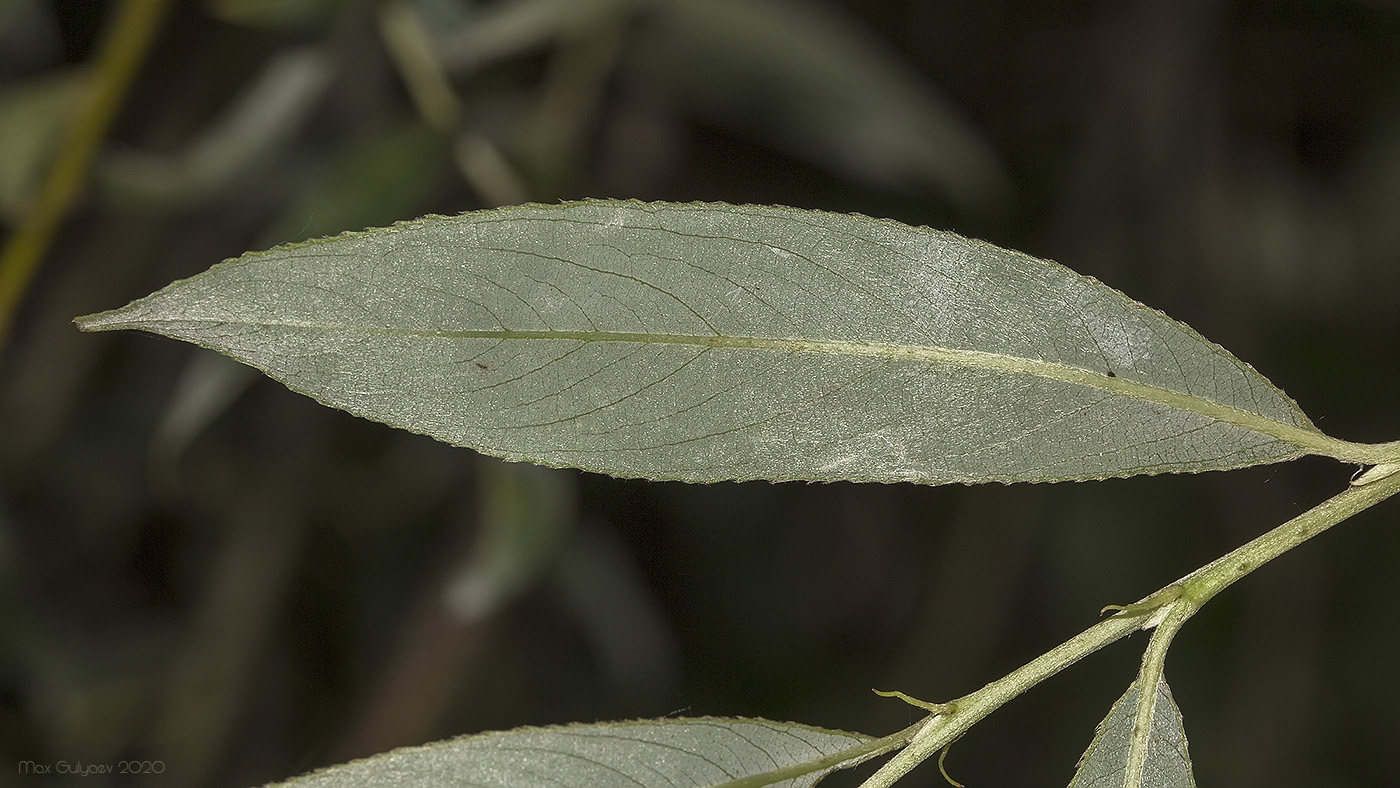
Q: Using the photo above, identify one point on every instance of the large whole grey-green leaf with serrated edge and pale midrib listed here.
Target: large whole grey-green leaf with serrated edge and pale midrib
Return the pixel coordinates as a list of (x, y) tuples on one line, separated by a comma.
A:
[(710, 342)]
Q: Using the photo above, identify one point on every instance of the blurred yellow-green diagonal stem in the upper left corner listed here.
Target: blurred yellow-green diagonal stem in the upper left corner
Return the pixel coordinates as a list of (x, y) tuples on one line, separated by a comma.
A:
[(122, 52)]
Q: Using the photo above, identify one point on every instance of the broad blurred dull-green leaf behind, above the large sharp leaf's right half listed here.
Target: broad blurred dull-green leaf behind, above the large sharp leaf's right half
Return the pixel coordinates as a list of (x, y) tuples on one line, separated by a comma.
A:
[(800, 78)]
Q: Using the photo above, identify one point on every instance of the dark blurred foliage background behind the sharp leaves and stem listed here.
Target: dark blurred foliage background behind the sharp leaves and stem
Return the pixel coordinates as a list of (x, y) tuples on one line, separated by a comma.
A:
[(202, 569)]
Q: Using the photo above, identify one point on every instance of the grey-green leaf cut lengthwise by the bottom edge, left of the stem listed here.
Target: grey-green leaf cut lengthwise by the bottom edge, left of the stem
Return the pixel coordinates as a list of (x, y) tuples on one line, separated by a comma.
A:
[(667, 754)]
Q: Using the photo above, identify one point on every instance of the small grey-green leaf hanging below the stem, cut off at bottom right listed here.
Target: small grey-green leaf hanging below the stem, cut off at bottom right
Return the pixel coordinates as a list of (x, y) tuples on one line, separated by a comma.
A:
[(1168, 765)]
